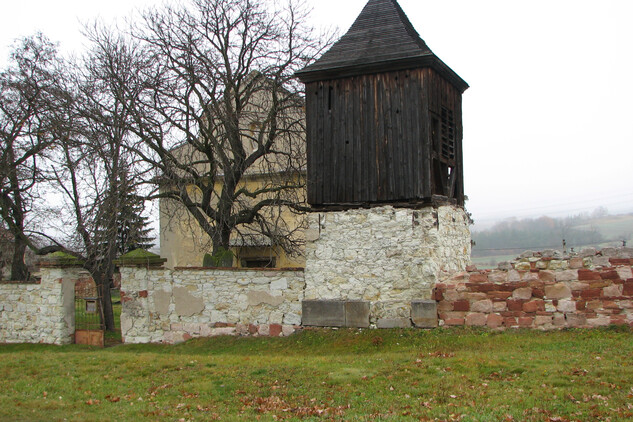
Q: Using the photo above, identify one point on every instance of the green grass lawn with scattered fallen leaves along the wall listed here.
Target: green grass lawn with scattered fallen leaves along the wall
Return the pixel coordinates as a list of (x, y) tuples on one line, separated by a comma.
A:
[(444, 375)]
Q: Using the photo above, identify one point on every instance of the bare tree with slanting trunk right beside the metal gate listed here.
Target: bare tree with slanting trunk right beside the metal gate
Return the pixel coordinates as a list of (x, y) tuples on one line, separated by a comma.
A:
[(93, 168)]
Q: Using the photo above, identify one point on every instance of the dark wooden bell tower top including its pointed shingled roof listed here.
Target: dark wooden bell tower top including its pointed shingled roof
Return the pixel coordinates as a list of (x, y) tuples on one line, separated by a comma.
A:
[(384, 118)]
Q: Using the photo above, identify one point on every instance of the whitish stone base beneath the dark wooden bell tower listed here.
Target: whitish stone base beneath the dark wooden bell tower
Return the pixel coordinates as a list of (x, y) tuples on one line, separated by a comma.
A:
[(387, 256)]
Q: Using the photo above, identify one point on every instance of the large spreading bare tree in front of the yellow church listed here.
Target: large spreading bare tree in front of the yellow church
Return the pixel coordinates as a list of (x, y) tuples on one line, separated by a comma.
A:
[(219, 106)]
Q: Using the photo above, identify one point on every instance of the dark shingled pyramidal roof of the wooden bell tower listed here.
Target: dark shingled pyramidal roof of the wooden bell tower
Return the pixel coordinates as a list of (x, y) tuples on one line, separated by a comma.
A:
[(381, 39)]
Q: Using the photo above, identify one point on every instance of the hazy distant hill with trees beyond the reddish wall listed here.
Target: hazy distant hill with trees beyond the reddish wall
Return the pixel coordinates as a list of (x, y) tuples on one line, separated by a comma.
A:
[(507, 239)]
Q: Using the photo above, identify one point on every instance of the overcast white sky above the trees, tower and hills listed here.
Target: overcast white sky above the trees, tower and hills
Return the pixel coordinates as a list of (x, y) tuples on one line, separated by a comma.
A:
[(548, 120)]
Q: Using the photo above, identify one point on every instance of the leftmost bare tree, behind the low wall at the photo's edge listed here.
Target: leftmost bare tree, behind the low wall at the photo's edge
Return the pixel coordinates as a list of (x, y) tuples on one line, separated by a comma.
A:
[(28, 95)]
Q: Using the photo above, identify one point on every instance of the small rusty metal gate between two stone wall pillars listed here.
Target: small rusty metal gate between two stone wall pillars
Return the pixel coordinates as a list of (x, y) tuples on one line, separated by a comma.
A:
[(89, 327)]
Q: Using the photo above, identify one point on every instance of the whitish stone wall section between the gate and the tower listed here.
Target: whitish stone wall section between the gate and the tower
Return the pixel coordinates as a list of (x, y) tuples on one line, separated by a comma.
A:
[(169, 306)]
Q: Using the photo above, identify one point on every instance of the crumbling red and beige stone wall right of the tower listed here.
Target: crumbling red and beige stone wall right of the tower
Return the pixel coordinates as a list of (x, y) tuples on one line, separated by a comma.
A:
[(542, 290)]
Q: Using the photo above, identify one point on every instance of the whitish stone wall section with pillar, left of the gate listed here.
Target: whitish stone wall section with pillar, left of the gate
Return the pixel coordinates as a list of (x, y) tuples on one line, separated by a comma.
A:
[(39, 313)]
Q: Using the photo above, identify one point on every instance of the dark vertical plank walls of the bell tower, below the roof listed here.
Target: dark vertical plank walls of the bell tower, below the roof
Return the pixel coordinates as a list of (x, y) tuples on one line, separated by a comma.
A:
[(369, 136)]
